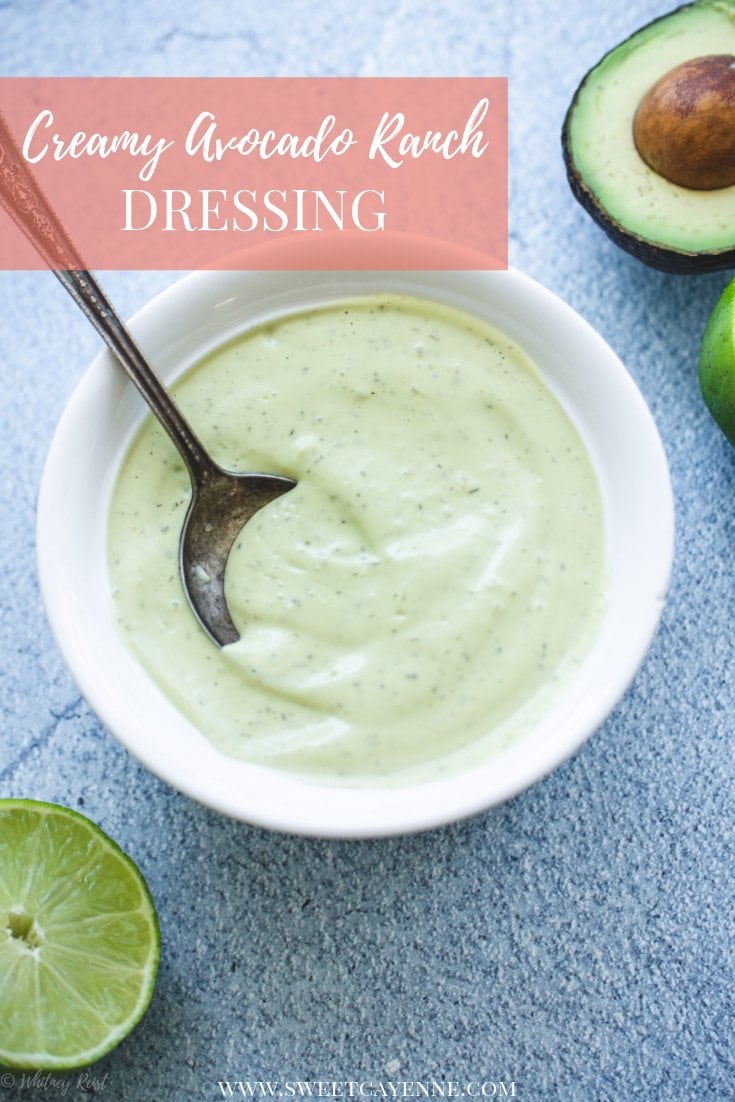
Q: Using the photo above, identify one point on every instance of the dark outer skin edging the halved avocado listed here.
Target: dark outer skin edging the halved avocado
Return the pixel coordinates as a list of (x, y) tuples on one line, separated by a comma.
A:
[(676, 262)]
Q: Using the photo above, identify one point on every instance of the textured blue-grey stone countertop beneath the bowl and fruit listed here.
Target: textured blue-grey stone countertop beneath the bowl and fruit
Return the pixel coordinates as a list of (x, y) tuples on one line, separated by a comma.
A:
[(575, 944)]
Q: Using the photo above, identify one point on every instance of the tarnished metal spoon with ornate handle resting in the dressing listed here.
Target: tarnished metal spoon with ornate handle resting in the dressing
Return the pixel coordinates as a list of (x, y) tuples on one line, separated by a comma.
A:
[(222, 501)]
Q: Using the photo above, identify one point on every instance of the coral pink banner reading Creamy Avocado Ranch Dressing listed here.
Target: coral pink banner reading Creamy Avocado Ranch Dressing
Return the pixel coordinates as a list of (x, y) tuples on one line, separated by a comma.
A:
[(262, 174)]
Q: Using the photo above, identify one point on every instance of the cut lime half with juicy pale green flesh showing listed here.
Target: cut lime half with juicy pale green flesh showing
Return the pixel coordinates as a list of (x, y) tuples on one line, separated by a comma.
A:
[(80, 939)]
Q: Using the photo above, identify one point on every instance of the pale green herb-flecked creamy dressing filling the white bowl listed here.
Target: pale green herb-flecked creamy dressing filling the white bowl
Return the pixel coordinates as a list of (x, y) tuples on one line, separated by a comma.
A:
[(436, 577)]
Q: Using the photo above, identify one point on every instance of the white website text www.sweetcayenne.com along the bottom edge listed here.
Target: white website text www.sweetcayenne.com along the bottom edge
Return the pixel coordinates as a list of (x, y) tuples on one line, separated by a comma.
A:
[(369, 1089)]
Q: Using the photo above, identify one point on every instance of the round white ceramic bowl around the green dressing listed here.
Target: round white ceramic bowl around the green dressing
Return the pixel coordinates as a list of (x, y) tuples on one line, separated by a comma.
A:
[(176, 330)]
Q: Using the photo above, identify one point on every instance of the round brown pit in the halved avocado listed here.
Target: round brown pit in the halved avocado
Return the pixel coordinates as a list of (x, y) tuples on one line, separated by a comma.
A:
[(685, 126)]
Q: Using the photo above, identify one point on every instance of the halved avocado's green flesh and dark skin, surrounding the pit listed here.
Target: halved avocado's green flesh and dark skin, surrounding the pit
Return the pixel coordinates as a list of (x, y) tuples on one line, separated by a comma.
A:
[(666, 225)]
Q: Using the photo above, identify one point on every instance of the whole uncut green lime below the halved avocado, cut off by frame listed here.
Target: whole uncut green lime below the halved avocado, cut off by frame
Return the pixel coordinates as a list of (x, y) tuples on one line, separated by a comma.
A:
[(718, 363)]
